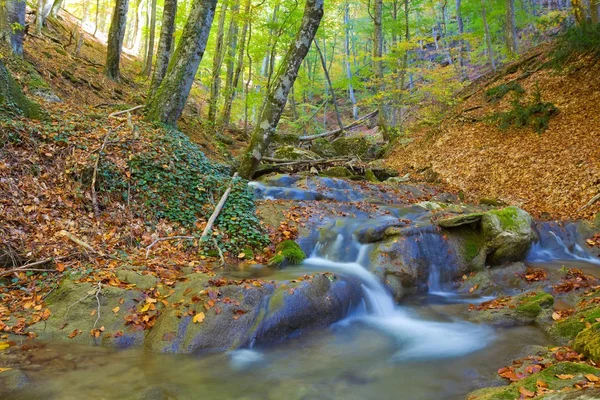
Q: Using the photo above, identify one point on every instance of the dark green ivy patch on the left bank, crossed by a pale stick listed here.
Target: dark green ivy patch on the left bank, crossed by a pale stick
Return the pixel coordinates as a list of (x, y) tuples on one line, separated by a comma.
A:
[(177, 182)]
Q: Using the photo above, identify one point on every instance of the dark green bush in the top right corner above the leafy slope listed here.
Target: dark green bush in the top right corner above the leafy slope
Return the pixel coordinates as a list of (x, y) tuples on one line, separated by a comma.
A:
[(577, 40)]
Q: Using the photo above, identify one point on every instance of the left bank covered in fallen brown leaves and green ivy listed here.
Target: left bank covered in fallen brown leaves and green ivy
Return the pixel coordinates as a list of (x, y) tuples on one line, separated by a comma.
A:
[(150, 183)]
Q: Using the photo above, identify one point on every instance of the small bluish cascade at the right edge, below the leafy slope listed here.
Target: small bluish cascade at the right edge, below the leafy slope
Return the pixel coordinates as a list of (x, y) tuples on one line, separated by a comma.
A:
[(557, 242)]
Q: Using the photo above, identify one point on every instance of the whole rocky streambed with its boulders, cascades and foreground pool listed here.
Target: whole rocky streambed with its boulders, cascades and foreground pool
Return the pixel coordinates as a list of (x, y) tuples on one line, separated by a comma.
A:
[(406, 293)]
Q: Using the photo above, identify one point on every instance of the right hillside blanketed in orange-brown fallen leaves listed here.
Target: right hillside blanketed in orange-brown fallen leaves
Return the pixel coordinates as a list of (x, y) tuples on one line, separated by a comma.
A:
[(551, 175)]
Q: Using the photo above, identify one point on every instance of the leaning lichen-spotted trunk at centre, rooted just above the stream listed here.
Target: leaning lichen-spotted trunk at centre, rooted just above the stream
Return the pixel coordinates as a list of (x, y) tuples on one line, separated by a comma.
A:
[(277, 96)]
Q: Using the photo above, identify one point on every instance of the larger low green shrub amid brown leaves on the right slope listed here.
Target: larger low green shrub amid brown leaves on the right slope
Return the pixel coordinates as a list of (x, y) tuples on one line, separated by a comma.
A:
[(535, 114)]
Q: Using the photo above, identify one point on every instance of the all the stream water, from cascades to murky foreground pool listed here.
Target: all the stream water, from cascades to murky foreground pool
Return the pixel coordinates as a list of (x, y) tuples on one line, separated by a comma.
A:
[(419, 350)]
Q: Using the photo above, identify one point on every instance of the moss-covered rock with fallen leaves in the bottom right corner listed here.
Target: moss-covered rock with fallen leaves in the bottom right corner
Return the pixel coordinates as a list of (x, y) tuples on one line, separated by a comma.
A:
[(548, 376)]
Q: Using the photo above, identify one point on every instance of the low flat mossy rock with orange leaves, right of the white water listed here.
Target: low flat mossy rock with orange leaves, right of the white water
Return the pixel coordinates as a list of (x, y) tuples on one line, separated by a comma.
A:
[(523, 309)]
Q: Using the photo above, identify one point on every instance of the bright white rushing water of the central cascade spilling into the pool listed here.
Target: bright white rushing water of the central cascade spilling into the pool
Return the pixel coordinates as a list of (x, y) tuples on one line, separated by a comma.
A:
[(416, 338)]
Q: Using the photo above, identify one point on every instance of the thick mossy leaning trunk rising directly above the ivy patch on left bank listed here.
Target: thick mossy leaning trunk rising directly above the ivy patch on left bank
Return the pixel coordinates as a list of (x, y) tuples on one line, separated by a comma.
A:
[(167, 103)]
